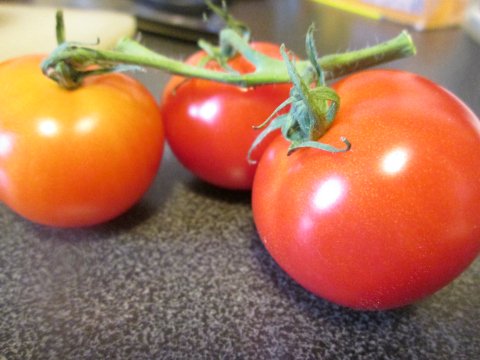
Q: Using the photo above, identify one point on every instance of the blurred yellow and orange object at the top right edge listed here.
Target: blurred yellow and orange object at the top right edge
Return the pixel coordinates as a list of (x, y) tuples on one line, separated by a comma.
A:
[(420, 14)]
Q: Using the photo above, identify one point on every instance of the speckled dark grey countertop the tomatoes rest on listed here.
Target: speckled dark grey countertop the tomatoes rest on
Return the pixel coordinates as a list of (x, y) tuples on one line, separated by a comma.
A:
[(183, 275)]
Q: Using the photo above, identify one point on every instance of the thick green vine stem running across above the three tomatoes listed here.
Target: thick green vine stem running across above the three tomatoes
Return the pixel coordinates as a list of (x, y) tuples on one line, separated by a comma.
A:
[(79, 60)]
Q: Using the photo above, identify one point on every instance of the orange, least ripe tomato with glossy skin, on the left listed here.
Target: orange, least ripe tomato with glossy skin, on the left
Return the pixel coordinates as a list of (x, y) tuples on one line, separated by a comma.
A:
[(75, 158)]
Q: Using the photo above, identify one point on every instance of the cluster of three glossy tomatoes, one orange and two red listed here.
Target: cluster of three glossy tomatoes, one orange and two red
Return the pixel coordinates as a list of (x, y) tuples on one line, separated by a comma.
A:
[(380, 226)]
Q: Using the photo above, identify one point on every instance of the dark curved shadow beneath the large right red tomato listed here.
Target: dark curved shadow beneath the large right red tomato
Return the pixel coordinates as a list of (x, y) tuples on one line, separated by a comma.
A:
[(318, 310)]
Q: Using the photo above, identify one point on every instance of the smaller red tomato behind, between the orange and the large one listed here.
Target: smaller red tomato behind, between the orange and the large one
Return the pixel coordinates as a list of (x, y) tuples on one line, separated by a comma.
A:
[(209, 125)]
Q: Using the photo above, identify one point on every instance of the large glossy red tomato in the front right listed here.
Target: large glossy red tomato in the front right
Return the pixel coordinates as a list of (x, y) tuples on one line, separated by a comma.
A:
[(392, 220)]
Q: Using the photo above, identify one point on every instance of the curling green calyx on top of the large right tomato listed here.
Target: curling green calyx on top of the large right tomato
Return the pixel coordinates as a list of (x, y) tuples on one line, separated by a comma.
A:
[(313, 106)]
